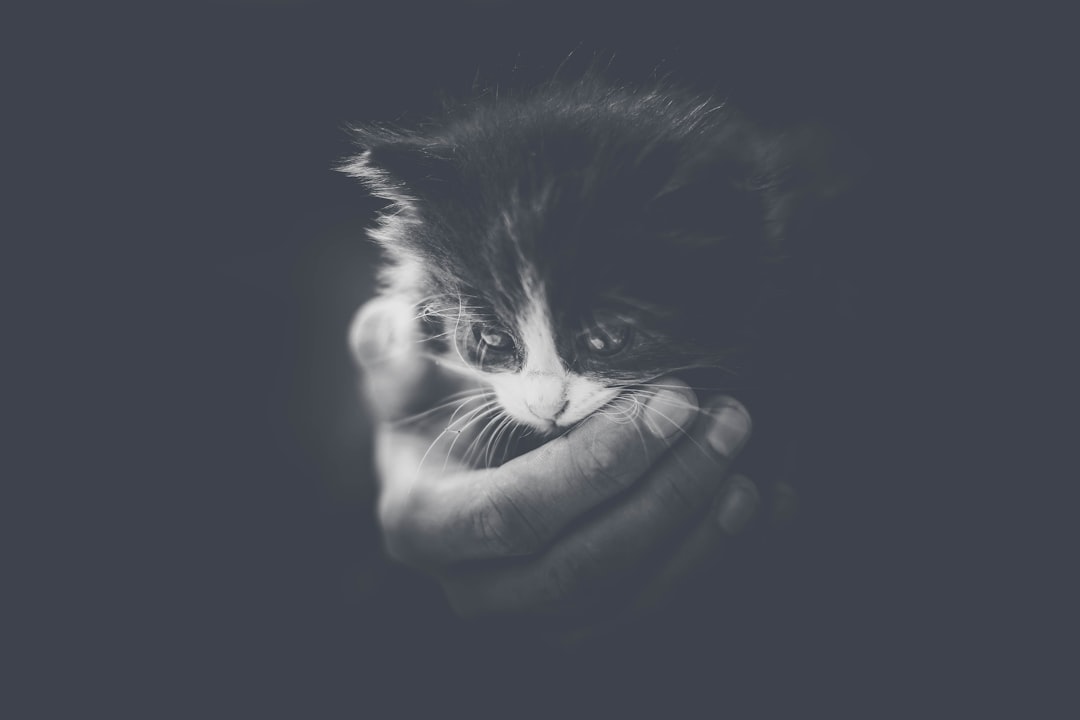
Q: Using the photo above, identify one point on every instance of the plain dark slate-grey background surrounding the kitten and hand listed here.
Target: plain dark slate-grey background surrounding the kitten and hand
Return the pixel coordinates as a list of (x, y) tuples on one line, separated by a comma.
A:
[(210, 548)]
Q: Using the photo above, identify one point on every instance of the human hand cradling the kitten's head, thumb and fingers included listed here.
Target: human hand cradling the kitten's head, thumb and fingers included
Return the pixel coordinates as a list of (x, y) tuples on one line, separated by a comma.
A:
[(602, 522)]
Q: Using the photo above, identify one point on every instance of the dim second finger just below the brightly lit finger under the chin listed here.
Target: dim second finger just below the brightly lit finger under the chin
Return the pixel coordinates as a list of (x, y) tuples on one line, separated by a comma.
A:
[(592, 560)]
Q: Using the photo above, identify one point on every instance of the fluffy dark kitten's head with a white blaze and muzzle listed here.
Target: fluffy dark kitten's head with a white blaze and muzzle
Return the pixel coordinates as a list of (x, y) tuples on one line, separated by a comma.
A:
[(584, 239)]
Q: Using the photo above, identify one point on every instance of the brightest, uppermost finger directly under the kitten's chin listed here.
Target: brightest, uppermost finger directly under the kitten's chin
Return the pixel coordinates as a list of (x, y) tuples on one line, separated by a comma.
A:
[(523, 506)]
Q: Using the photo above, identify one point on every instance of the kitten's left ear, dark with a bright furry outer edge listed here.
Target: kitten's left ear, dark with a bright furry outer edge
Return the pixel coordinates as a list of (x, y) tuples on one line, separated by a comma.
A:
[(403, 169)]
